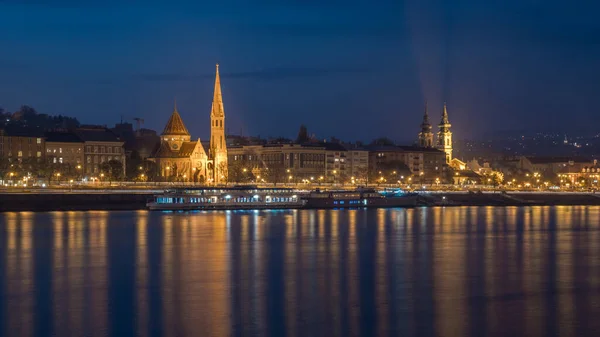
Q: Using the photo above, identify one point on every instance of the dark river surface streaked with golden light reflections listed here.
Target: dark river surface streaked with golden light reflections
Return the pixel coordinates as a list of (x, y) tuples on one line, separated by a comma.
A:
[(469, 271)]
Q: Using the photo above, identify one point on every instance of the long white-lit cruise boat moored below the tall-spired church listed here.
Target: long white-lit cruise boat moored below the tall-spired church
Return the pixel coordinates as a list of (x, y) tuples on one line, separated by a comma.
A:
[(226, 198)]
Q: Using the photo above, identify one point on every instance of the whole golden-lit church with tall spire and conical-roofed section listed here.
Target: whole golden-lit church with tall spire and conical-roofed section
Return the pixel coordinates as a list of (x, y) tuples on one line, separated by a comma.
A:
[(181, 159)]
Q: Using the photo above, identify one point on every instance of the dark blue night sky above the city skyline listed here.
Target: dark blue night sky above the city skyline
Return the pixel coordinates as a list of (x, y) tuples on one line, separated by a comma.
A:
[(354, 69)]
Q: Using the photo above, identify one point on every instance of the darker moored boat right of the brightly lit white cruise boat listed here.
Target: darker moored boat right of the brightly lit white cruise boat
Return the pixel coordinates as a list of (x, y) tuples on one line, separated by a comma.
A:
[(361, 197)]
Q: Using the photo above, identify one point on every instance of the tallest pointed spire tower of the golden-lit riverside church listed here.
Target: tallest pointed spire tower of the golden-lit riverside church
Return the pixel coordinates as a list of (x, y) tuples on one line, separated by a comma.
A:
[(218, 146)]
